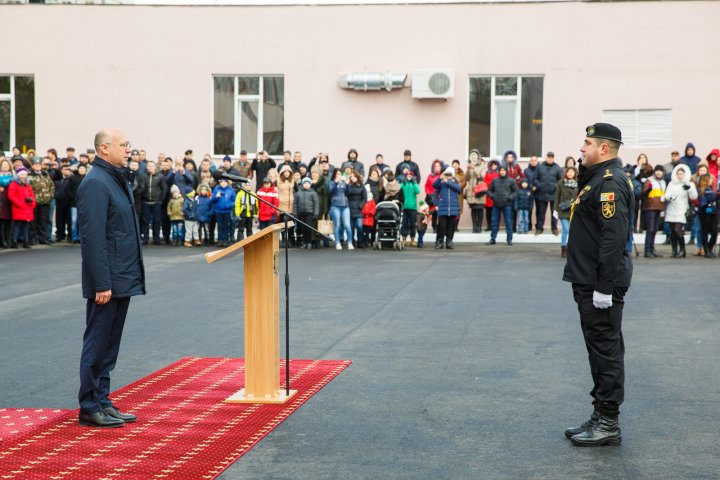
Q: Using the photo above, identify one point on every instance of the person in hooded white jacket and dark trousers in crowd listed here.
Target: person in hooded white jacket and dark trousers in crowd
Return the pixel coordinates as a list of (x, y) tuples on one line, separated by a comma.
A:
[(678, 195)]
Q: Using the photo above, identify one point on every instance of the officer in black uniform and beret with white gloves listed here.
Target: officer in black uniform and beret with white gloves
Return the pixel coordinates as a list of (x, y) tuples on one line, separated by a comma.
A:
[(600, 268)]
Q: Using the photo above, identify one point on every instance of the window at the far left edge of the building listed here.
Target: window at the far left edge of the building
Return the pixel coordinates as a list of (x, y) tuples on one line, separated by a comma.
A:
[(17, 112)]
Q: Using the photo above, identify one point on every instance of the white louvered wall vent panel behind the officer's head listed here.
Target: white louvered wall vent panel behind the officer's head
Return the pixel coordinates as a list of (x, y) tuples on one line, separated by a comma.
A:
[(642, 128)]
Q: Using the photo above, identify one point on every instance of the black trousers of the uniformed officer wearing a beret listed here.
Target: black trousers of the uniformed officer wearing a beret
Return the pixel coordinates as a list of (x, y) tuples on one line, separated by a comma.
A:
[(602, 331)]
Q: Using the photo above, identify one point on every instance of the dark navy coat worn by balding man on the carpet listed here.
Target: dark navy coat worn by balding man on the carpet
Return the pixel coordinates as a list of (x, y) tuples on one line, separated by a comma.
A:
[(109, 233)]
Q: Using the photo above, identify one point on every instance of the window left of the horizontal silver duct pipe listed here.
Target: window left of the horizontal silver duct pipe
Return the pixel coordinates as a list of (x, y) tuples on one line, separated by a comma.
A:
[(248, 114)]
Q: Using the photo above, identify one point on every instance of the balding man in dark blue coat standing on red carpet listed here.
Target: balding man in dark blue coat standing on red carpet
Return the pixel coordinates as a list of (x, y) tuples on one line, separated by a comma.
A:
[(112, 272)]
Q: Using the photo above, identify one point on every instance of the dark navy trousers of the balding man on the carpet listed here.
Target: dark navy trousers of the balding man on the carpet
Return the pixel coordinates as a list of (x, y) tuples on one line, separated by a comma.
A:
[(101, 344)]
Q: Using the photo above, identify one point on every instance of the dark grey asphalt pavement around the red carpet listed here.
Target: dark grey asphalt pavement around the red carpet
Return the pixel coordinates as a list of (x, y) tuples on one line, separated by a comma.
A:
[(467, 364)]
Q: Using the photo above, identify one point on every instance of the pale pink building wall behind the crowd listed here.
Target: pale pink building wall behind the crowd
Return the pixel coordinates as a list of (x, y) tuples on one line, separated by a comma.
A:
[(149, 70)]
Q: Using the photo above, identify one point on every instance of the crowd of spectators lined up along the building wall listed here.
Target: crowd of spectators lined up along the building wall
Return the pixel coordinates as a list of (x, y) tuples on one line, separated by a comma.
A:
[(182, 202)]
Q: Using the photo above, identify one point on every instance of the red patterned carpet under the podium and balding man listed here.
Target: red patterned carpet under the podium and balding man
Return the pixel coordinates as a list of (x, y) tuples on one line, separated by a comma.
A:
[(184, 430)]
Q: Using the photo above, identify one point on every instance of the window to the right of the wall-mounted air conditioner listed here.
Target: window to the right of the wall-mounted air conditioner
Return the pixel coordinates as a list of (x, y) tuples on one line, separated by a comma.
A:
[(506, 113)]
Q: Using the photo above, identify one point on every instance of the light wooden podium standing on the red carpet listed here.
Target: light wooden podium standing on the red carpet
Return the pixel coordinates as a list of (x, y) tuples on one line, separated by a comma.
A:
[(262, 316)]
